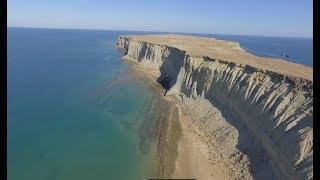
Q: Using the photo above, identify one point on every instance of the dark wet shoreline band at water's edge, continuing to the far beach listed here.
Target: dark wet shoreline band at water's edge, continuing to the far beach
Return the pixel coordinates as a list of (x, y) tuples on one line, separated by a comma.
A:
[(168, 127)]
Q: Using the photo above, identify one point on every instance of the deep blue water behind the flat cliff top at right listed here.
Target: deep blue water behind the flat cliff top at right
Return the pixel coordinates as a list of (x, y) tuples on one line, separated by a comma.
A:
[(300, 50)]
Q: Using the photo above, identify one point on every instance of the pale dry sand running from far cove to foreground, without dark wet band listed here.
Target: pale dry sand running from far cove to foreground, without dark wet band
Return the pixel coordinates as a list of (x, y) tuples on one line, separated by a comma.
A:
[(195, 157)]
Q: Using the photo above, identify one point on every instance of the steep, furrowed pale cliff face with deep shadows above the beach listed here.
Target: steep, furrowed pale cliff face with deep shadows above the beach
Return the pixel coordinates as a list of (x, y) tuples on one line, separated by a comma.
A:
[(256, 117)]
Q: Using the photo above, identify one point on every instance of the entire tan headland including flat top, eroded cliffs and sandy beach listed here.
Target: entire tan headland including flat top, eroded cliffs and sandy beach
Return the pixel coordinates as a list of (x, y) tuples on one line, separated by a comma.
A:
[(241, 116)]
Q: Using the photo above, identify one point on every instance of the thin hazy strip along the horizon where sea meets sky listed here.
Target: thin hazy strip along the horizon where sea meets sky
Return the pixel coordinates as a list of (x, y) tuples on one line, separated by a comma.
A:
[(201, 33)]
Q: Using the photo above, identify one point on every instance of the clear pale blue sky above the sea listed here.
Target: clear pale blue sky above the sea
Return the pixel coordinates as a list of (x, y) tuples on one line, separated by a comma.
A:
[(245, 17)]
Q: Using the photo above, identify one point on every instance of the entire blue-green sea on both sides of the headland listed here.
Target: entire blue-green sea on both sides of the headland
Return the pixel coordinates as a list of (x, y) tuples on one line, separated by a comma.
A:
[(76, 112)]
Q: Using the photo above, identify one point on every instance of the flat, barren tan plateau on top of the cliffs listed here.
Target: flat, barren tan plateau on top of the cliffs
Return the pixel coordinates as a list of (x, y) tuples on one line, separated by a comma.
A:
[(228, 51)]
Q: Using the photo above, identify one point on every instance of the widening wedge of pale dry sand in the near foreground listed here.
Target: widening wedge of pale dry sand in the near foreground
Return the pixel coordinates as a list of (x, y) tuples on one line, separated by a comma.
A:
[(194, 156)]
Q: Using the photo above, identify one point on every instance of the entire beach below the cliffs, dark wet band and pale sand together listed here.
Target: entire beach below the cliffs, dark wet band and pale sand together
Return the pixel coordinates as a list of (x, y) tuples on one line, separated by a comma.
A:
[(190, 155)]
